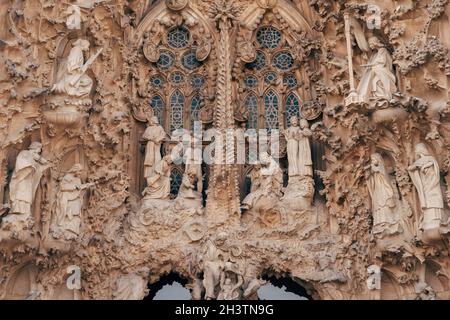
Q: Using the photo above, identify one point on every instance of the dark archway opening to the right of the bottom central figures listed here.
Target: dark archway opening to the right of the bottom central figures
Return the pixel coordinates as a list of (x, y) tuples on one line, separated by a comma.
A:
[(283, 288)]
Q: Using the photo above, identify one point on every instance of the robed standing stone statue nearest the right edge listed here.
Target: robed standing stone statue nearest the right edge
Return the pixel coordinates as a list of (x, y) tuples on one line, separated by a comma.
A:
[(425, 175)]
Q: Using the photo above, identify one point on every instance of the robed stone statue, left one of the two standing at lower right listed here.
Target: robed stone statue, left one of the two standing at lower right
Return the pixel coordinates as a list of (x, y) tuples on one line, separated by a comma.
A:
[(384, 201)]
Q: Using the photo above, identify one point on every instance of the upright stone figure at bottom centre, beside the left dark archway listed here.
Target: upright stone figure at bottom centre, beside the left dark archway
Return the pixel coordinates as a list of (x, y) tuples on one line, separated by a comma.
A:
[(213, 266)]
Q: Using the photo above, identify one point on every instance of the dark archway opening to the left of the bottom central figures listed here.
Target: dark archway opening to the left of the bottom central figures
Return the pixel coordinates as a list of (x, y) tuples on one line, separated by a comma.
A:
[(169, 286)]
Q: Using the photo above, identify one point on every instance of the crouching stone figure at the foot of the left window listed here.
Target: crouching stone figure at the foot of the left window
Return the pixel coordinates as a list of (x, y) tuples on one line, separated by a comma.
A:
[(159, 181)]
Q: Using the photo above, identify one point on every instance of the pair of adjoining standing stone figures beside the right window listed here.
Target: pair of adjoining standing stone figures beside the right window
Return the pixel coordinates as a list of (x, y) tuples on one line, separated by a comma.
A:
[(298, 148)]
